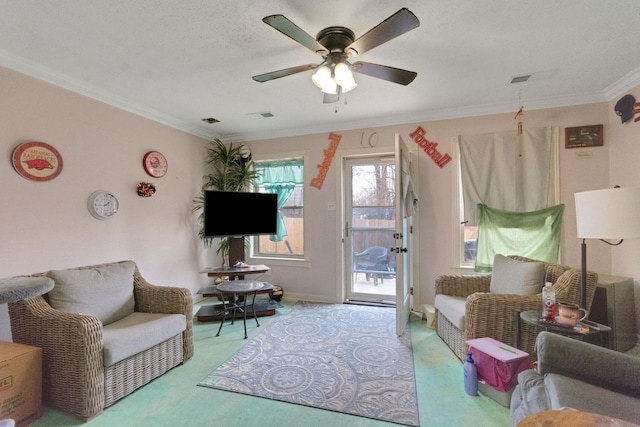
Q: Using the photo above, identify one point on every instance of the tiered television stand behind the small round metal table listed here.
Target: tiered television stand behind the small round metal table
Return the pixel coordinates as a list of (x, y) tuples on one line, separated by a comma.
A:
[(211, 312)]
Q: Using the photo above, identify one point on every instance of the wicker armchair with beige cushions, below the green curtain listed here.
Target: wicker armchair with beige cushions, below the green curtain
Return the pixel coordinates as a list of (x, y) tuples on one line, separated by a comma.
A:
[(488, 305)]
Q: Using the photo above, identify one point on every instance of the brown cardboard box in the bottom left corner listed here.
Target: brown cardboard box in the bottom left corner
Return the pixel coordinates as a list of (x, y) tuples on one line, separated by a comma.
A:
[(20, 382)]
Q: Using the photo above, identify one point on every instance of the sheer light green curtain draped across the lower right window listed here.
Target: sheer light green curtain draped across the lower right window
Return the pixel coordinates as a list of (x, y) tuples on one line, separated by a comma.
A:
[(531, 234)]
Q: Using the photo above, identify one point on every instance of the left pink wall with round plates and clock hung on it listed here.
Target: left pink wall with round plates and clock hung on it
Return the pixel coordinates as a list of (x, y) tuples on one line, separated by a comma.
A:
[(46, 225)]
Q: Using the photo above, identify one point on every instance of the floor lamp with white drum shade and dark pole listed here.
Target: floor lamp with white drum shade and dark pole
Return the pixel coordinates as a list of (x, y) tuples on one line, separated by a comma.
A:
[(609, 214)]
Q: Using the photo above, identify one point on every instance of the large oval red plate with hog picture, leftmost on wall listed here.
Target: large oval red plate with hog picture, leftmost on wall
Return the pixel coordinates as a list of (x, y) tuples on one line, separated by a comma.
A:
[(37, 161)]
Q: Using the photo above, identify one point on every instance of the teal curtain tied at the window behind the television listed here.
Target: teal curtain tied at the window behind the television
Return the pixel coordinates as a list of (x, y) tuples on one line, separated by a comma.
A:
[(280, 177)]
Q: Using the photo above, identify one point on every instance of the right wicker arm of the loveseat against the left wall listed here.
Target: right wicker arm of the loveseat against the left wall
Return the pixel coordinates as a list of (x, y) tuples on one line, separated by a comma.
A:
[(167, 300)]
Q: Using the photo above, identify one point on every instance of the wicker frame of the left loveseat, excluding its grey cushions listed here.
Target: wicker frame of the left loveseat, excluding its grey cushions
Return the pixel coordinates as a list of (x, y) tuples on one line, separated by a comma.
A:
[(75, 379)]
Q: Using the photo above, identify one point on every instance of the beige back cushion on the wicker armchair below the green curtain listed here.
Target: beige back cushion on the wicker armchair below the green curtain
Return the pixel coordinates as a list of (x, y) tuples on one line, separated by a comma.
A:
[(511, 276)]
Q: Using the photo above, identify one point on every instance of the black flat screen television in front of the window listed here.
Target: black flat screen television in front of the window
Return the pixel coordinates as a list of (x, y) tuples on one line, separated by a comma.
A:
[(235, 214)]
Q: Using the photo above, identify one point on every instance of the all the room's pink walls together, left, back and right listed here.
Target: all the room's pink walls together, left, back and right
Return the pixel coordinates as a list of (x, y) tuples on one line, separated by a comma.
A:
[(47, 225)]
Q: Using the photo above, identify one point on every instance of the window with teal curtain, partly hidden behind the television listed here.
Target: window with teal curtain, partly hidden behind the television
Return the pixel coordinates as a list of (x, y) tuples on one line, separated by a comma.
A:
[(285, 177)]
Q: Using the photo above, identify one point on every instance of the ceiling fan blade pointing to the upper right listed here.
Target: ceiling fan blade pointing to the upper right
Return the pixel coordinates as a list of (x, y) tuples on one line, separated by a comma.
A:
[(395, 25)]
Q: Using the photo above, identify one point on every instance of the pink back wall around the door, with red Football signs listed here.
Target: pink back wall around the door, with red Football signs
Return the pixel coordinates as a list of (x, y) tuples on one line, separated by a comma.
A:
[(436, 193)]
